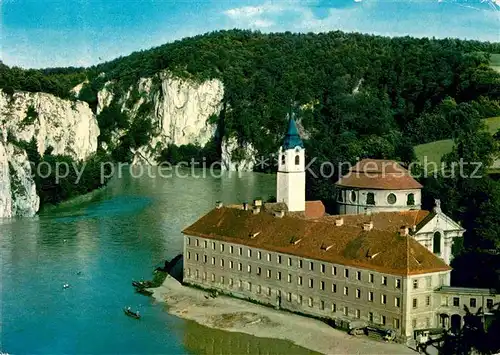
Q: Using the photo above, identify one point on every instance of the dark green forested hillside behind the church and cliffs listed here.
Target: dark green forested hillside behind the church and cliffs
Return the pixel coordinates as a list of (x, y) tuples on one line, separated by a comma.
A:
[(354, 95)]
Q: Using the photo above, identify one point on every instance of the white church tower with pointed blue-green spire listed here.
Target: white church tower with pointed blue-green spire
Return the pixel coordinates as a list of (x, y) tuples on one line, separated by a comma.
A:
[(291, 180)]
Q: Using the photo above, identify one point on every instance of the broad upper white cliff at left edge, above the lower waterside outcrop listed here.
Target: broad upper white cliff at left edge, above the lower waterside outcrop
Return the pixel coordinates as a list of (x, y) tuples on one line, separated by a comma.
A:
[(70, 128)]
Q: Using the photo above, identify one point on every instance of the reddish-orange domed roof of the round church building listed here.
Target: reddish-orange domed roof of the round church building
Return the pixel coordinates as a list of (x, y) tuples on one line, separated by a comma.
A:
[(379, 174)]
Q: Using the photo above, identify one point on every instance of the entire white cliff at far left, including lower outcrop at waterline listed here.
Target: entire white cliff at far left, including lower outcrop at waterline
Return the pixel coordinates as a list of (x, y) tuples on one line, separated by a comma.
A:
[(70, 128)]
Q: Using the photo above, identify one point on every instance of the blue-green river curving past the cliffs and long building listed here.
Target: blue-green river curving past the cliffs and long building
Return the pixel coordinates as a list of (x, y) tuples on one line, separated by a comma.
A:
[(98, 247)]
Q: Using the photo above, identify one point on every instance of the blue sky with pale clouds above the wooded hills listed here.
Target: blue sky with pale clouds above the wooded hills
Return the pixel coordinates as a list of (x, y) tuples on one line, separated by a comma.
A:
[(48, 33)]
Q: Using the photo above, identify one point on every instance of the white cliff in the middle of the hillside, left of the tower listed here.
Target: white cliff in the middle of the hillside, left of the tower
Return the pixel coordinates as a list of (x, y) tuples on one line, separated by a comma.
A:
[(180, 110)]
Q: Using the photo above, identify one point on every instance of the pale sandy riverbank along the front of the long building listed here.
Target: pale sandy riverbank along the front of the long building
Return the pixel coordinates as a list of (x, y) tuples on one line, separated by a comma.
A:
[(235, 315)]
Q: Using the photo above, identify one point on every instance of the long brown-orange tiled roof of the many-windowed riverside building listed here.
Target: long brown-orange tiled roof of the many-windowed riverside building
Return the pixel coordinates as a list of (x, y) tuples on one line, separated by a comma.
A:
[(379, 250)]
